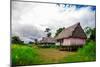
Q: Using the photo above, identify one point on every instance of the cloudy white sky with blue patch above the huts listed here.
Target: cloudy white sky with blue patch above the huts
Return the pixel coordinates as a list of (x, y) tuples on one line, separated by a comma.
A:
[(29, 20)]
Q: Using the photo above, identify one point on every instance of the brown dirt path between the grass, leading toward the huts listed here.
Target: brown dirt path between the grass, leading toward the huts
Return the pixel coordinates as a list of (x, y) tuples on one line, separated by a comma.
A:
[(51, 55)]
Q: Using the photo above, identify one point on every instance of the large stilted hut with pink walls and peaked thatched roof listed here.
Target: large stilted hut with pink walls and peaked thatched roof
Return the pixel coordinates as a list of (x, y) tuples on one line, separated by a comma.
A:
[(72, 37)]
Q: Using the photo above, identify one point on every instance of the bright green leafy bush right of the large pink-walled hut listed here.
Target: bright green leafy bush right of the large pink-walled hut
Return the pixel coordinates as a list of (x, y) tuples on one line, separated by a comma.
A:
[(88, 50)]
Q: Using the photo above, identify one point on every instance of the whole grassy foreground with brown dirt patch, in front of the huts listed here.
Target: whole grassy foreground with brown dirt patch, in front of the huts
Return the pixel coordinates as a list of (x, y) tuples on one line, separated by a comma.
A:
[(32, 55)]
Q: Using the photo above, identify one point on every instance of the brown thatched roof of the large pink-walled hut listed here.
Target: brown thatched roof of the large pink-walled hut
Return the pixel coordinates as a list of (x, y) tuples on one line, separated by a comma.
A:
[(75, 31)]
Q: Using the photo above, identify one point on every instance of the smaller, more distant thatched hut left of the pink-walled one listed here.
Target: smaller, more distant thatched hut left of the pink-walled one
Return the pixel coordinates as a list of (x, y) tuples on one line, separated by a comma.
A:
[(47, 41)]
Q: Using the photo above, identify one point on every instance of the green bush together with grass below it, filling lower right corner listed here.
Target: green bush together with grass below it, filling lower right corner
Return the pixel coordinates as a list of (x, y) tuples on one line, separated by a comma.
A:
[(87, 53)]
